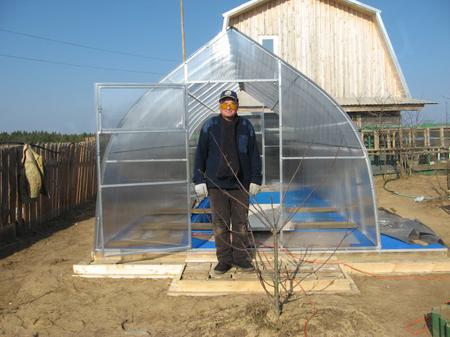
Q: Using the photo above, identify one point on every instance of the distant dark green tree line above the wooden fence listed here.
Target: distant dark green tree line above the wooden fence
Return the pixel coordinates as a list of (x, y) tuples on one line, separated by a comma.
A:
[(32, 137)]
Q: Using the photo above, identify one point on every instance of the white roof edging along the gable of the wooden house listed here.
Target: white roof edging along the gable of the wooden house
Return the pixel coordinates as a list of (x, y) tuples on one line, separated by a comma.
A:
[(249, 5)]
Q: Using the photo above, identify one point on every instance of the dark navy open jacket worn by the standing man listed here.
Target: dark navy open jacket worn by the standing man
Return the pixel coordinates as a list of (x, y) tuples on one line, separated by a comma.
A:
[(208, 155)]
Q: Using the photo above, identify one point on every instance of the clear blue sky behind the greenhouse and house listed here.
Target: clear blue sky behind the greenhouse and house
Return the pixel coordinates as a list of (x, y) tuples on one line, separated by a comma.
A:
[(49, 85)]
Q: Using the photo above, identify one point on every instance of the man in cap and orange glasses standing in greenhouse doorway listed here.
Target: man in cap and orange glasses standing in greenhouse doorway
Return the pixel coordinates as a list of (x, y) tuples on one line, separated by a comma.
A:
[(228, 169)]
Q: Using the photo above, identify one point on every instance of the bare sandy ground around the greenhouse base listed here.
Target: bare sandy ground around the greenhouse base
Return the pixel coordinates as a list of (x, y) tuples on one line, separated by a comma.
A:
[(40, 297)]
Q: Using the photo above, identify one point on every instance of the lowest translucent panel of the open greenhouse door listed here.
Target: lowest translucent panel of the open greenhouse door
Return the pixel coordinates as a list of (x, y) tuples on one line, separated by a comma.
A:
[(145, 217)]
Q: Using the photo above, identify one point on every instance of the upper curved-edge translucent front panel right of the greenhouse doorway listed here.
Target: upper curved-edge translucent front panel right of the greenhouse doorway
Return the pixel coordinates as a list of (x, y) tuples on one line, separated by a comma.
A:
[(313, 125)]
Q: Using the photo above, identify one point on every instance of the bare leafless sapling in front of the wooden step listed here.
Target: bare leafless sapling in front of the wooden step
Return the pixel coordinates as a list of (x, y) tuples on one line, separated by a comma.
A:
[(279, 270)]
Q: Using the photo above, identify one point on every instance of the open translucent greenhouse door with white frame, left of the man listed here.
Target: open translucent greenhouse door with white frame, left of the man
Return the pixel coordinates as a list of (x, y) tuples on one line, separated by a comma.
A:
[(143, 201)]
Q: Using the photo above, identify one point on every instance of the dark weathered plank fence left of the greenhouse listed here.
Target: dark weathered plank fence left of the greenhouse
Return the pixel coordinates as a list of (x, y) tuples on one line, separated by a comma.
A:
[(70, 178)]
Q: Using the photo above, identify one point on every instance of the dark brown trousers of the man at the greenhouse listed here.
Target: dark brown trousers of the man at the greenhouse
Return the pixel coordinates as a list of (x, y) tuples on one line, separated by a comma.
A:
[(230, 206)]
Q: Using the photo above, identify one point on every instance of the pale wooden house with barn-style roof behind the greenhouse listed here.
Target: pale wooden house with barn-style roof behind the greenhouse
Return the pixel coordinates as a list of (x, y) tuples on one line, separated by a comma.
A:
[(342, 45)]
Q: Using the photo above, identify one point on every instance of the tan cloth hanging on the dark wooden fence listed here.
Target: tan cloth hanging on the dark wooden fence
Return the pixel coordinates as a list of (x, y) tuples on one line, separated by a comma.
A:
[(32, 174)]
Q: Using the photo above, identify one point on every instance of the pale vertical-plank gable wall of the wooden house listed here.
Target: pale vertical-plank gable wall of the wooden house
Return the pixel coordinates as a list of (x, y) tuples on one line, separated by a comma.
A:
[(339, 47)]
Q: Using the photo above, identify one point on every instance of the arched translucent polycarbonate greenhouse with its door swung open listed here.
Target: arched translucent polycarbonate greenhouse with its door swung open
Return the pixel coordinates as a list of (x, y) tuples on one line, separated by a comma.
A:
[(317, 181)]
